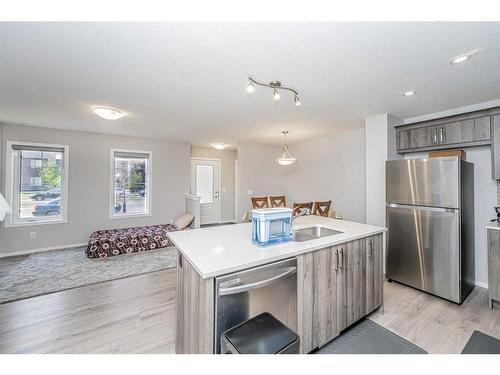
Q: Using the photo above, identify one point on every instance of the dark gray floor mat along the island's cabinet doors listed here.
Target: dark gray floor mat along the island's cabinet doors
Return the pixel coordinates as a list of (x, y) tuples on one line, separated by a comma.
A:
[(367, 337)]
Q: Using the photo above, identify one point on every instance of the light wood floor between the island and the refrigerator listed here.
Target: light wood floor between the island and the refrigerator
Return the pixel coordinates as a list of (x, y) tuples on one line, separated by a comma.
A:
[(434, 324)]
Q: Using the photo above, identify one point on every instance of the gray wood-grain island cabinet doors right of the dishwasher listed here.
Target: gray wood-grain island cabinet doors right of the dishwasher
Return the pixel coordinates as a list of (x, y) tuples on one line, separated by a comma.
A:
[(342, 283)]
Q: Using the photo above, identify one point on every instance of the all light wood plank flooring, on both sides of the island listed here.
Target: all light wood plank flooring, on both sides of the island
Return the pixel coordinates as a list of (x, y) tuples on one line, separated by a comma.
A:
[(137, 315)]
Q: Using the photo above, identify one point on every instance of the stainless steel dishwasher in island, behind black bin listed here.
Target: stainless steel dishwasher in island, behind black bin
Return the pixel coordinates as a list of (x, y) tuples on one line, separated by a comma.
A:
[(270, 288)]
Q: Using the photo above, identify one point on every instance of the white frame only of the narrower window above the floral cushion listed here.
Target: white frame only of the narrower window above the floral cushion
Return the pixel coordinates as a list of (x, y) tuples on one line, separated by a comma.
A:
[(149, 189)]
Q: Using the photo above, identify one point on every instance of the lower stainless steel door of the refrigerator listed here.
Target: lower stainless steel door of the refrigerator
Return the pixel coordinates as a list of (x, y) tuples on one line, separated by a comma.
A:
[(423, 249)]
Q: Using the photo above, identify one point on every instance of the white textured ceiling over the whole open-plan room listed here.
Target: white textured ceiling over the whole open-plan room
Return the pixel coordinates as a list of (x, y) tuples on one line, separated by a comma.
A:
[(186, 81)]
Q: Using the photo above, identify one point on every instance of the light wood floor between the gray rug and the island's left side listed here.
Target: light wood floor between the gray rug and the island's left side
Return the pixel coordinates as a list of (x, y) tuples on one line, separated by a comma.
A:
[(132, 315)]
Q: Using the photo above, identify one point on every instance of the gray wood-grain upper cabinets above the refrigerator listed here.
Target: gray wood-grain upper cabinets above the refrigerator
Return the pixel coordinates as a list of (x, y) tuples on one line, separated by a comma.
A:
[(465, 130)]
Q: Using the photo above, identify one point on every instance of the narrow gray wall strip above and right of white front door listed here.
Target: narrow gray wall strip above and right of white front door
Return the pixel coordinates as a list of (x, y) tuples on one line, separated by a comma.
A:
[(227, 158)]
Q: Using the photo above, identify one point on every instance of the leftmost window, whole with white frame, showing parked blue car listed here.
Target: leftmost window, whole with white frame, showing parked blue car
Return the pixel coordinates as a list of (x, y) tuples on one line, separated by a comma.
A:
[(36, 183)]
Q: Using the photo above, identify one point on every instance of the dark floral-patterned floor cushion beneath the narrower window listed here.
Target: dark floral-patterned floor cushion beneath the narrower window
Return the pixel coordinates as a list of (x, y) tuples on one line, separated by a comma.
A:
[(107, 243)]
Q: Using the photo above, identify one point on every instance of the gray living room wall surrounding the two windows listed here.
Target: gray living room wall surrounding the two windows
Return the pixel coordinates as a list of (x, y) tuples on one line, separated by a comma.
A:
[(89, 184)]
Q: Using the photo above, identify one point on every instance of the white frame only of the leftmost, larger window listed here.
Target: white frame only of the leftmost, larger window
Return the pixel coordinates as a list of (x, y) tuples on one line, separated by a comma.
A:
[(10, 180)]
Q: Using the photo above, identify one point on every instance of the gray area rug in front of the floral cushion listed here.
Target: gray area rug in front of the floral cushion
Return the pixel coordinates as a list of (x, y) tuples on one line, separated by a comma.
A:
[(52, 271)]
